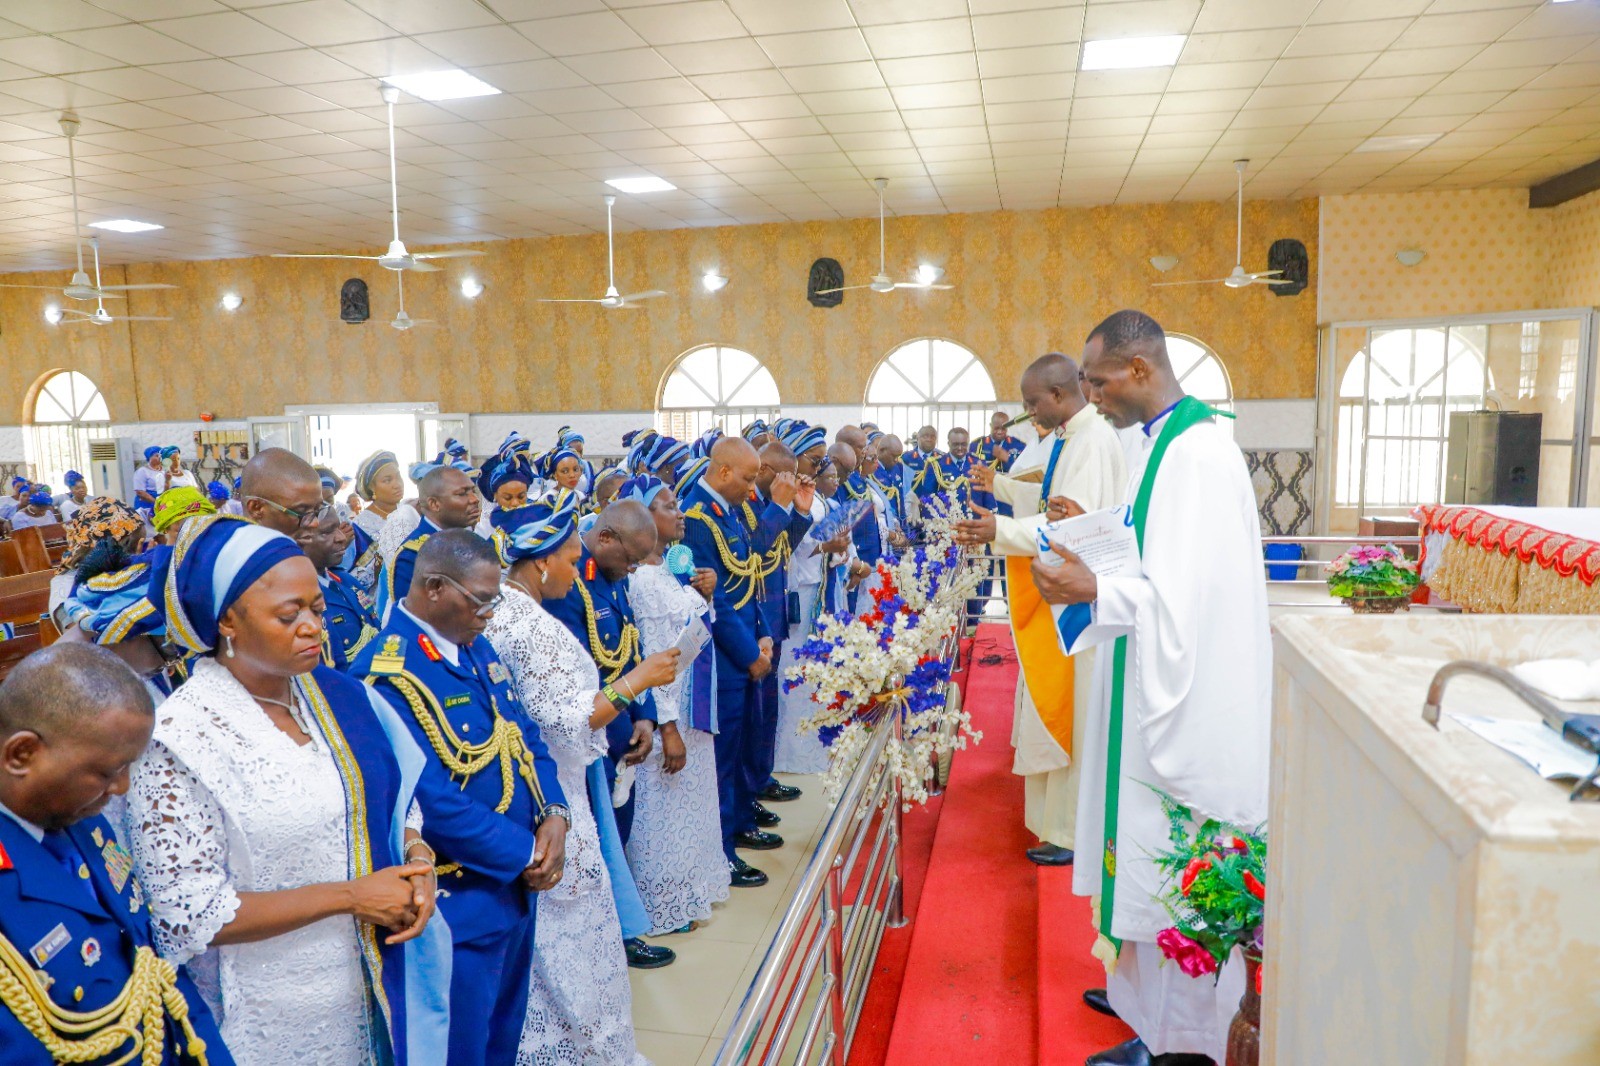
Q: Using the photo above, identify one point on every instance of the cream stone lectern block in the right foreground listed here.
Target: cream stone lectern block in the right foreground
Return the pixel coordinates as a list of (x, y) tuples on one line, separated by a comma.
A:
[(1431, 900)]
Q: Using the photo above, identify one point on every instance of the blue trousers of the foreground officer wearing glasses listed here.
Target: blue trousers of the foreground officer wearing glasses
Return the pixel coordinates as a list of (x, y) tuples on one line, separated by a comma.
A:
[(489, 996)]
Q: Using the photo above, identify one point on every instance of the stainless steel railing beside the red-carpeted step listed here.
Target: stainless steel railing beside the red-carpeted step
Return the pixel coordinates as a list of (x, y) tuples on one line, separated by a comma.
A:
[(806, 1000)]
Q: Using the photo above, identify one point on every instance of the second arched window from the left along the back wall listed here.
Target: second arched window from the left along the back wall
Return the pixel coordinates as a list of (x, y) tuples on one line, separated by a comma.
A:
[(716, 387)]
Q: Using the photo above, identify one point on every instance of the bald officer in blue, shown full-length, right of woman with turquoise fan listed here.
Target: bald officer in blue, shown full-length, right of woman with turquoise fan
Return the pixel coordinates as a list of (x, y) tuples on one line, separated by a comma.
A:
[(718, 535)]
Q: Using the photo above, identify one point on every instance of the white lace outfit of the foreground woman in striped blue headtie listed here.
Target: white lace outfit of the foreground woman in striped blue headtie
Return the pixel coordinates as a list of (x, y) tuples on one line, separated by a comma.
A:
[(226, 803)]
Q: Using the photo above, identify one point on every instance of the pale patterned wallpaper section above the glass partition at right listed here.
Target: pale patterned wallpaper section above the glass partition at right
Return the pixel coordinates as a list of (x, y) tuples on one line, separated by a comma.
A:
[(1486, 252)]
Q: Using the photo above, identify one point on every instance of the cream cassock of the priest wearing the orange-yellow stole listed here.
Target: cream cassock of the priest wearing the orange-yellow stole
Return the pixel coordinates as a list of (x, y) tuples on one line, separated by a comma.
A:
[(1094, 473)]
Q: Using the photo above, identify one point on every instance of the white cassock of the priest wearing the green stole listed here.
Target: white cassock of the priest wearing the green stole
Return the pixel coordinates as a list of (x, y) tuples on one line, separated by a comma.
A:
[(1196, 721)]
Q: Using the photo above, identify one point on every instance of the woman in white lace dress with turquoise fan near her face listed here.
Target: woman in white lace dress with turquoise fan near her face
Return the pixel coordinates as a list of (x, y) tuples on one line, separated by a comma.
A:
[(676, 848)]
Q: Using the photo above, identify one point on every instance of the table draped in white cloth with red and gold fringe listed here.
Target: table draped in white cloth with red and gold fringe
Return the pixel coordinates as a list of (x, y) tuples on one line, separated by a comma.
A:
[(1513, 561)]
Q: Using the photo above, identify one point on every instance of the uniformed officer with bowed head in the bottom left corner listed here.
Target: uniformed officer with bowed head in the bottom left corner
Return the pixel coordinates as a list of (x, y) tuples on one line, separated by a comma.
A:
[(74, 926)]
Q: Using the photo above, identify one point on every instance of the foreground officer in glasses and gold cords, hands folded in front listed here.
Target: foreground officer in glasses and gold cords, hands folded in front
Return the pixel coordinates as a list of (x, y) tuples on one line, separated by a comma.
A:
[(458, 700)]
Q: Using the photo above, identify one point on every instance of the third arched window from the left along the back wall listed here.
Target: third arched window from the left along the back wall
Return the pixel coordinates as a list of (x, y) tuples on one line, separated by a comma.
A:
[(930, 383)]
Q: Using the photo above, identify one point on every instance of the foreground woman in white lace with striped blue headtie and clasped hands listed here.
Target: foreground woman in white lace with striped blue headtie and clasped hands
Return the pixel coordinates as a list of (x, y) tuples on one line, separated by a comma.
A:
[(271, 822)]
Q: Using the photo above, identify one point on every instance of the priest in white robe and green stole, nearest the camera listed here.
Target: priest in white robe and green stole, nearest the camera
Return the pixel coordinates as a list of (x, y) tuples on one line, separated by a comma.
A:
[(1196, 694)]
